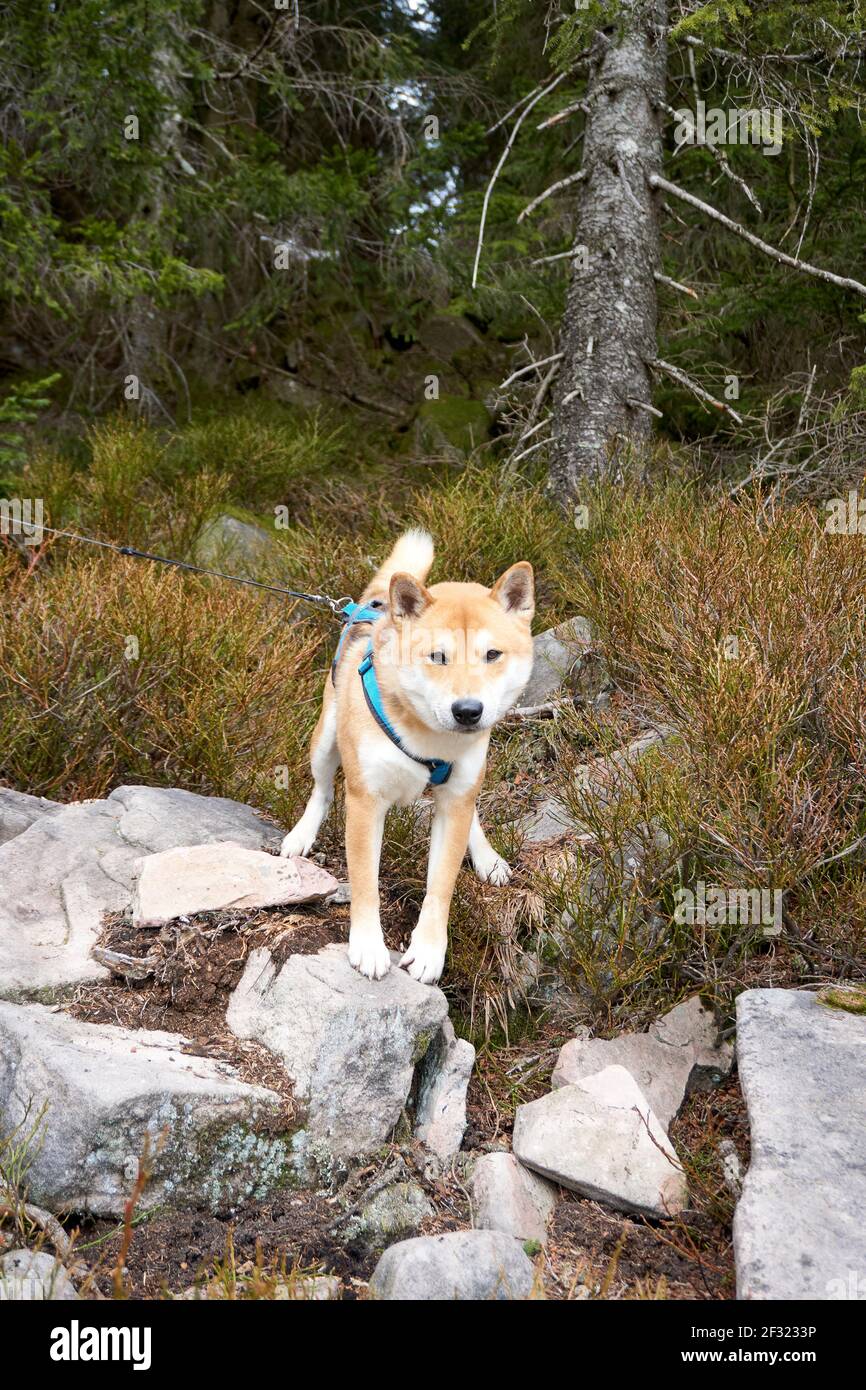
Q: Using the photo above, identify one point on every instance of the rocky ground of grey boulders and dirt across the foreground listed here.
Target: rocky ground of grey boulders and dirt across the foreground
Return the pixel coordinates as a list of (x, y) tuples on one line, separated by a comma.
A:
[(201, 1099)]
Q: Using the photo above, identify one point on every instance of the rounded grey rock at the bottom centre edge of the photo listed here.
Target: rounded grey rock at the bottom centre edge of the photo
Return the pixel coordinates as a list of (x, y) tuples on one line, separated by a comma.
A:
[(466, 1266)]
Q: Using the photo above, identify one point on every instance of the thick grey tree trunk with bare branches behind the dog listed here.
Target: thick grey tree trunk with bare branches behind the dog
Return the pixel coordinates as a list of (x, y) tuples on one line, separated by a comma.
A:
[(610, 327)]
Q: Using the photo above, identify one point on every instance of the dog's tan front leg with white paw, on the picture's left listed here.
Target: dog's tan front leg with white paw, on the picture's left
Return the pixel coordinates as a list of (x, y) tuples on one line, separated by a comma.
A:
[(365, 826)]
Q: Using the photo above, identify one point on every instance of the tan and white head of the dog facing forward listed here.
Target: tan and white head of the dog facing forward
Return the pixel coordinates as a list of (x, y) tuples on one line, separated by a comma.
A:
[(459, 655)]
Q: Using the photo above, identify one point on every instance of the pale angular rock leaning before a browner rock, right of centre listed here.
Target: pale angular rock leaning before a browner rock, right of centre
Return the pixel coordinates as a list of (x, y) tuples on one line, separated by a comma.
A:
[(601, 1138)]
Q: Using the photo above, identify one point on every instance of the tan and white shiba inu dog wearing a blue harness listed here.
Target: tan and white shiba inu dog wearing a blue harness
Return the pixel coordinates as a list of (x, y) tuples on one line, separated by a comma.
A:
[(420, 679)]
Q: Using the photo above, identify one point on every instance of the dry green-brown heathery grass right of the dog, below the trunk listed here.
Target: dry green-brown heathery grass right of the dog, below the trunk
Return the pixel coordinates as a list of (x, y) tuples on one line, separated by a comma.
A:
[(746, 636)]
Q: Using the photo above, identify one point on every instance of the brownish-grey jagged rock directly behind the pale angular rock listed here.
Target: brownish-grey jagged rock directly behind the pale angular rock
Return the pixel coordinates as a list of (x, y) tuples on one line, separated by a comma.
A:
[(679, 1054)]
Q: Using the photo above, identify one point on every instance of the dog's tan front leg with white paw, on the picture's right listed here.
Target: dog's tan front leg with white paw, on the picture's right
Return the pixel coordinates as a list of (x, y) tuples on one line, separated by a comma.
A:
[(448, 840)]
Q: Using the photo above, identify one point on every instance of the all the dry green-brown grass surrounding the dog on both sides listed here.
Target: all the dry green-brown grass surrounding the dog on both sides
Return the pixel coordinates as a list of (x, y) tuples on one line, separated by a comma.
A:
[(739, 626)]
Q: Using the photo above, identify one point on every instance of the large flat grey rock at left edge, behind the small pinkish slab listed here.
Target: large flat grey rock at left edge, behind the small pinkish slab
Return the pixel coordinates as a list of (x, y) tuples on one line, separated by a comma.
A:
[(77, 862)]
